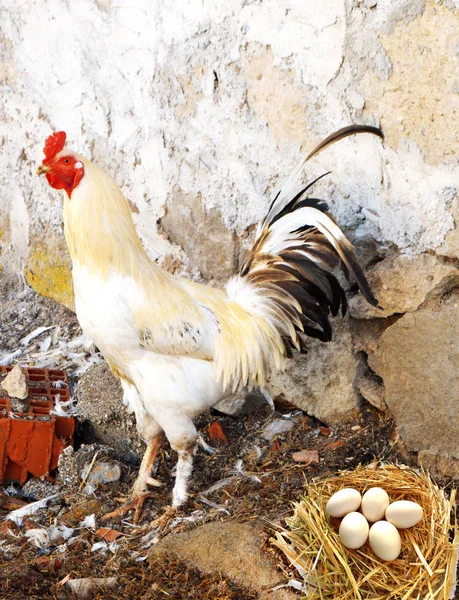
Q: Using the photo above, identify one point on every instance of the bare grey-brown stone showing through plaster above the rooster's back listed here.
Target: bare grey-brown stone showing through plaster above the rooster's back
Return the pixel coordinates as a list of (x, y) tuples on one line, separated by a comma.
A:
[(202, 234)]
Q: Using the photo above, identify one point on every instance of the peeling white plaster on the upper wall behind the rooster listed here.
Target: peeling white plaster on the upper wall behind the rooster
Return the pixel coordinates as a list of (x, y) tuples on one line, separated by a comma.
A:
[(133, 85)]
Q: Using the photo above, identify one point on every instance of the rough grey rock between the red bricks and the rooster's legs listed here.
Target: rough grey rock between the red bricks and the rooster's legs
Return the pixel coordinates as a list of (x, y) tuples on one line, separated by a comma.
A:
[(100, 402)]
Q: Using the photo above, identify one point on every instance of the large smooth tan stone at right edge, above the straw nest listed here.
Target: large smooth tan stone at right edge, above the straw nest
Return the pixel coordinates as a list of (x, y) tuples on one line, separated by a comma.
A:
[(418, 359)]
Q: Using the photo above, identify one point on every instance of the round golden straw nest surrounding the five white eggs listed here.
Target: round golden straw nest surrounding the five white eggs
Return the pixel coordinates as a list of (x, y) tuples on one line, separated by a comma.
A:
[(426, 566)]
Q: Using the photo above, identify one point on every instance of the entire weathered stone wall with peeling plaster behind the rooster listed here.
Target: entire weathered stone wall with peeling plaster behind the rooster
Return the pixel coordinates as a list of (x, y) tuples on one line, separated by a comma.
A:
[(199, 109)]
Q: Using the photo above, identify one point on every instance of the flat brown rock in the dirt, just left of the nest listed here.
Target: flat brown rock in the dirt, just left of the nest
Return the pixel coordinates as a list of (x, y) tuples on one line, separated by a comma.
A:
[(231, 548)]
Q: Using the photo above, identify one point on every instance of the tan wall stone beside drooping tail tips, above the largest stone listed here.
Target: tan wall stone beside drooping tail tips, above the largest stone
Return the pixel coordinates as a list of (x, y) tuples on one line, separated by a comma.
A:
[(403, 283)]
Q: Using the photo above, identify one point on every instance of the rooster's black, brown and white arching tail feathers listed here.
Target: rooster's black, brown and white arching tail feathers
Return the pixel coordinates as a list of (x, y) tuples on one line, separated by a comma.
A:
[(289, 269)]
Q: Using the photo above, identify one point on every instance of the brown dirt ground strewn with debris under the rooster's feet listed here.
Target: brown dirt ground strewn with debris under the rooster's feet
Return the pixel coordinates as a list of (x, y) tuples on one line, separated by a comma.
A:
[(271, 481)]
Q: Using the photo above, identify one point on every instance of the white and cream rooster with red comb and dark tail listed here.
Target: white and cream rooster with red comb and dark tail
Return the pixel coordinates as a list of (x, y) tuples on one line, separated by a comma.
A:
[(177, 346)]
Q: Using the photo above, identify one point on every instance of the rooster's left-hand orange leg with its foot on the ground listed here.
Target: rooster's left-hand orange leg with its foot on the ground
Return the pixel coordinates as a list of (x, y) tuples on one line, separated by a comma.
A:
[(140, 491)]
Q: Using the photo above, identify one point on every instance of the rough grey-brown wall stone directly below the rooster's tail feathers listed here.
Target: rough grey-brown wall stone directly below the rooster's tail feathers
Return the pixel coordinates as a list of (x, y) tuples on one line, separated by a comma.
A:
[(322, 382)]
